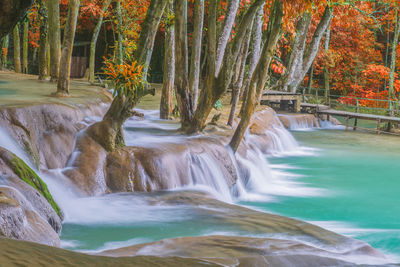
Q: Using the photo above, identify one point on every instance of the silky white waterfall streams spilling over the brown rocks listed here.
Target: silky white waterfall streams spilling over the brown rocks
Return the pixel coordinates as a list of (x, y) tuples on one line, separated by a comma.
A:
[(256, 180)]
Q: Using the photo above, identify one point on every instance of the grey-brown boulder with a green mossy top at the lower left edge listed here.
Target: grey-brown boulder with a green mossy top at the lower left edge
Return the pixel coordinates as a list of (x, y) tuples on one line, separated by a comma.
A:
[(28, 211)]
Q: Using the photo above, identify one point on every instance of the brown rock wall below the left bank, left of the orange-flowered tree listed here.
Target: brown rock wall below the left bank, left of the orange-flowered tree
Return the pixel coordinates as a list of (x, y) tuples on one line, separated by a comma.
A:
[(47, 132)]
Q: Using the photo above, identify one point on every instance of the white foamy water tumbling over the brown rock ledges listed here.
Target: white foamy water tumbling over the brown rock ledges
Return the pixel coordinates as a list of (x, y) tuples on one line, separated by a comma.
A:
[(262, 183)]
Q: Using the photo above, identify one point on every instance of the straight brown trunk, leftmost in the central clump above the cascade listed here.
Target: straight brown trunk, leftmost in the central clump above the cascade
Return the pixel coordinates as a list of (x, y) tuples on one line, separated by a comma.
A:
[(183, 96)]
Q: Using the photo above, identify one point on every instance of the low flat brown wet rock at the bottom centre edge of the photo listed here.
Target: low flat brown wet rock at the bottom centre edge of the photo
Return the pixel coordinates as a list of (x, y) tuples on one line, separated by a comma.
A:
[(235, 251)]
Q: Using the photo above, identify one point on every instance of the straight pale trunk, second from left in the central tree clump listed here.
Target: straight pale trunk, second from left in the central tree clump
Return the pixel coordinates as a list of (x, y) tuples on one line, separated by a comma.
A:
[(195, 61)]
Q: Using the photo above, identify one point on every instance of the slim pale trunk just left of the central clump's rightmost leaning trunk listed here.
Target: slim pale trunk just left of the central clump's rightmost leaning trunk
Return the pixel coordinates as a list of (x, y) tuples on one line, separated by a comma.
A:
[(256, 40)]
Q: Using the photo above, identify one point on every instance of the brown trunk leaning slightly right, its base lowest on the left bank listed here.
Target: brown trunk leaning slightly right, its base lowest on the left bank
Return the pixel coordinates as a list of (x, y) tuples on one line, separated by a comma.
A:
[(68, 45)]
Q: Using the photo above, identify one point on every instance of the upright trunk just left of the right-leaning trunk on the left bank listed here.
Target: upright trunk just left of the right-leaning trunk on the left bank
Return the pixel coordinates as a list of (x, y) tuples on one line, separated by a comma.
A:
[(53, 7)]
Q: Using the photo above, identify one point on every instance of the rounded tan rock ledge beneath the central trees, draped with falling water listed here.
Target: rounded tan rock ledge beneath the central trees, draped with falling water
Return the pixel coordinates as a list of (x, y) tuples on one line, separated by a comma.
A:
[(167, 165)]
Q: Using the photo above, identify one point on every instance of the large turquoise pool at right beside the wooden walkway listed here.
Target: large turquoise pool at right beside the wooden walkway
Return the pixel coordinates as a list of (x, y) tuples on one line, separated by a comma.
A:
[(361, 177)]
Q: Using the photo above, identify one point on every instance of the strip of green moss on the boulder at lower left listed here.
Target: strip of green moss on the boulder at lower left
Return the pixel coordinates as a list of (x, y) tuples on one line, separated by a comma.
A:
[(24, 172)]
